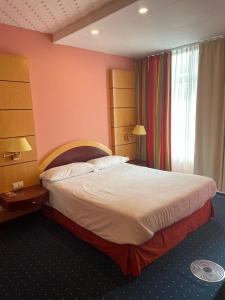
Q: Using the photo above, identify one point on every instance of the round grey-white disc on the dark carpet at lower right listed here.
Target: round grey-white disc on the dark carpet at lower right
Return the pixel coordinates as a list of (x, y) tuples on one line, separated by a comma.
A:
[(207, 270)]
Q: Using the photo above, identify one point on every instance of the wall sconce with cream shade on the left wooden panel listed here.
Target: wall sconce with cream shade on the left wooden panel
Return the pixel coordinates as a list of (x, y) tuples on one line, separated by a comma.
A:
[(15, 147)]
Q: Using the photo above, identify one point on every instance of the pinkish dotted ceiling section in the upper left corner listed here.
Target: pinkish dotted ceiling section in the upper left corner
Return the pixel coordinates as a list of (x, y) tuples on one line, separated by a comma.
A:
[(47, 16)]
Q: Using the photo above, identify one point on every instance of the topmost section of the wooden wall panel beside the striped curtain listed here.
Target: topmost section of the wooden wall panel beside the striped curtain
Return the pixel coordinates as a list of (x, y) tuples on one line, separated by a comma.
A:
[(122, 79)]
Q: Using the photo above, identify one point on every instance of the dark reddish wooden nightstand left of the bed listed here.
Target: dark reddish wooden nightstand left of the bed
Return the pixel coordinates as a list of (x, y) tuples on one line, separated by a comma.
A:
[(27, 199)]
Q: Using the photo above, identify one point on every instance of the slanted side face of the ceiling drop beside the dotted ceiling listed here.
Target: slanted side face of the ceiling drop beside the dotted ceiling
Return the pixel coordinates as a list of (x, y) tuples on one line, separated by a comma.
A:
[(94, 16)]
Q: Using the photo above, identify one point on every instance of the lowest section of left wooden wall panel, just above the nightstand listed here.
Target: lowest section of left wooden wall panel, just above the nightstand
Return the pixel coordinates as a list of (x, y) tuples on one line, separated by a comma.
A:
[(28, 172)]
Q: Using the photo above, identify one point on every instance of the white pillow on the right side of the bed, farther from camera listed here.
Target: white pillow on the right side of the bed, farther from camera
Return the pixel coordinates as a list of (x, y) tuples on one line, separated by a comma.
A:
[(108, 161)]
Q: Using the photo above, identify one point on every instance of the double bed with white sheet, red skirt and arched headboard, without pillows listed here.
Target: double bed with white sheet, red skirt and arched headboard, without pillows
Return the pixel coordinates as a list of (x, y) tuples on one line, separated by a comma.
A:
[(133, 214)]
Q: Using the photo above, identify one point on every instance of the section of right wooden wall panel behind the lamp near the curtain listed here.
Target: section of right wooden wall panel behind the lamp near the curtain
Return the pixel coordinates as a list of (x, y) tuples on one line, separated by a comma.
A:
[(123, 135)]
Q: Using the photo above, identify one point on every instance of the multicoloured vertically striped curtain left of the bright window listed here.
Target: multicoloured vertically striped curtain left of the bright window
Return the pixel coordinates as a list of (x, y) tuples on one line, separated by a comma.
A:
[(153, 101)]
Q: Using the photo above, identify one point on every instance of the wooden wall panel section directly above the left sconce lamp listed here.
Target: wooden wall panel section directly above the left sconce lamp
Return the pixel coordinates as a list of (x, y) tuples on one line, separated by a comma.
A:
[(16, 123)]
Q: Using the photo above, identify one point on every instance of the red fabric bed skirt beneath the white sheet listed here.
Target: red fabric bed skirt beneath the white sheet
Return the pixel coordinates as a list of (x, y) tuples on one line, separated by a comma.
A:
[(130, 258)]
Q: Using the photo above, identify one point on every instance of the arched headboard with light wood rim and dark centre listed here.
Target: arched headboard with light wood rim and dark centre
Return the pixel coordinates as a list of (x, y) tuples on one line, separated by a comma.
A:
[(77, 151)]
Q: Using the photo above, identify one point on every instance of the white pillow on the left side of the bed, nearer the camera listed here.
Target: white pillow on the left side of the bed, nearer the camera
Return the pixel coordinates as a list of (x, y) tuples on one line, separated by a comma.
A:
[(67, 171)]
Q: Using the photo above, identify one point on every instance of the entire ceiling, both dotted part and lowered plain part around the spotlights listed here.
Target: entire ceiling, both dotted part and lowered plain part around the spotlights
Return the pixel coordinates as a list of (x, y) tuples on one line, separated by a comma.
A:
[(122, 30)]
